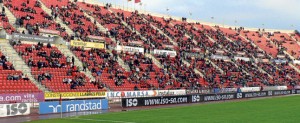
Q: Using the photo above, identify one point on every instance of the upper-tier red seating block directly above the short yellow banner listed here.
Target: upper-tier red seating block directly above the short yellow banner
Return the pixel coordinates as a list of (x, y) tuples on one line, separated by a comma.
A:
[(74, 17)]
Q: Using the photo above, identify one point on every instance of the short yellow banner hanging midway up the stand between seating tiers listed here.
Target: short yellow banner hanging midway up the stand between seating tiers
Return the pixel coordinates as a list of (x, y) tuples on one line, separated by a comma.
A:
[(87, 44)]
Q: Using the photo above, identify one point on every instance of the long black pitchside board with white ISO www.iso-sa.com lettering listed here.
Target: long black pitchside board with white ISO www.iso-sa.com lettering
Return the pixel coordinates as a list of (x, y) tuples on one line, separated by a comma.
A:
[(198, 98)]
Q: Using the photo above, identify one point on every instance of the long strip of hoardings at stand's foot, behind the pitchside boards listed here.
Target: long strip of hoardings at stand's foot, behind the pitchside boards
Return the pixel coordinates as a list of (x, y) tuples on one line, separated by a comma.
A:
[(40, 97)]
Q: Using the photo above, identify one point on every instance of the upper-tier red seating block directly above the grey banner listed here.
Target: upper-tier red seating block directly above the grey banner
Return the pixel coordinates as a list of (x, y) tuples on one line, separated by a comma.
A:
[(30, 15)]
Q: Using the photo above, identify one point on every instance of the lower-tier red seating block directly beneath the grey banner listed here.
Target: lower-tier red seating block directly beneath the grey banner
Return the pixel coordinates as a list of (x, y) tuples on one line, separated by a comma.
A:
[(51, 68)]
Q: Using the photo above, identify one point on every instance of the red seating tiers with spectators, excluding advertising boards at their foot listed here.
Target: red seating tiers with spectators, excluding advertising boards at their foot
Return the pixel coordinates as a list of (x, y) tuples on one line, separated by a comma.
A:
[(138, 51)]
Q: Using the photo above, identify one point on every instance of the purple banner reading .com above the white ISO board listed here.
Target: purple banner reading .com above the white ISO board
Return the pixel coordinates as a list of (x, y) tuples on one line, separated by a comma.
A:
[(22, 98)]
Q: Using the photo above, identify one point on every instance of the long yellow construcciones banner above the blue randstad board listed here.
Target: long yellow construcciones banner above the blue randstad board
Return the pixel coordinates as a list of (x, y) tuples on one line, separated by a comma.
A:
[(56, 95)]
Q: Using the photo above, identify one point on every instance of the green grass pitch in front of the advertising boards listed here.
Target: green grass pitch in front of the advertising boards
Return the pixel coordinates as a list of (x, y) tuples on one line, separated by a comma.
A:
[(272, 110)]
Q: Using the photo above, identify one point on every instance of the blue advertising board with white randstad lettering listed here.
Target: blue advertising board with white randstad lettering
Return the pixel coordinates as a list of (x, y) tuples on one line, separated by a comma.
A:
[(73, 106)]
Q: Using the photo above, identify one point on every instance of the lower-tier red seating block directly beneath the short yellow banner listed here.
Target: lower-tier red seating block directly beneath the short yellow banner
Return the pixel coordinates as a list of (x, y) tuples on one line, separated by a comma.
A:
[(104, 67)]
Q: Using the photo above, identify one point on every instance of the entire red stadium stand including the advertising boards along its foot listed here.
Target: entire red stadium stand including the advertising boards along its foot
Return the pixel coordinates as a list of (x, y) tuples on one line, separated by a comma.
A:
[(86, 56)]
